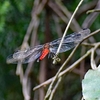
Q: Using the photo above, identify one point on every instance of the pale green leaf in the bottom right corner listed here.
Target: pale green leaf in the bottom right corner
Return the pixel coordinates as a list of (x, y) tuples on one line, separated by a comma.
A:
[(91, 85)]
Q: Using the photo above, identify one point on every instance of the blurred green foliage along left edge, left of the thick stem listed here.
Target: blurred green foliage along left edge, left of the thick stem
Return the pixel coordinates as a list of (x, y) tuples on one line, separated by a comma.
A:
[(14, 20)]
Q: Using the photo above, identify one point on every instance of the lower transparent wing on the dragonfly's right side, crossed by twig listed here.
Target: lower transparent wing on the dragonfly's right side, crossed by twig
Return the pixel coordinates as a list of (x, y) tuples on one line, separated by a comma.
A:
[(65, 47)]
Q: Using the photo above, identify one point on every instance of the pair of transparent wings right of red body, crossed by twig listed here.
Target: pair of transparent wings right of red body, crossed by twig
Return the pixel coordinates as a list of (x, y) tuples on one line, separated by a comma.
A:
[(69, 41)]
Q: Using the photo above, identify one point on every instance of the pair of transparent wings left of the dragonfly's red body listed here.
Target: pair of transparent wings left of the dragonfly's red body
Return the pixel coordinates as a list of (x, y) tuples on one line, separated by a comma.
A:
[(25, 56)]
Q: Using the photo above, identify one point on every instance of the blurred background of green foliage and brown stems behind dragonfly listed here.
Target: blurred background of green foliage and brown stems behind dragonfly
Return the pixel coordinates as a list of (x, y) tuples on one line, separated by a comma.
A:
[(26, 23)]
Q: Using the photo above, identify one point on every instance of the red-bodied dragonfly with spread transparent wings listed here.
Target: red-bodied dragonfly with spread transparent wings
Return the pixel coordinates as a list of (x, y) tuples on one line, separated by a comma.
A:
[(39, 52)]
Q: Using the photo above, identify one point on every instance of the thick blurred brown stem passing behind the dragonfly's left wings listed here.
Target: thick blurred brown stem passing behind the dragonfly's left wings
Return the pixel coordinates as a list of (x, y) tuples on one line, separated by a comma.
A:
[(33, 26)]
